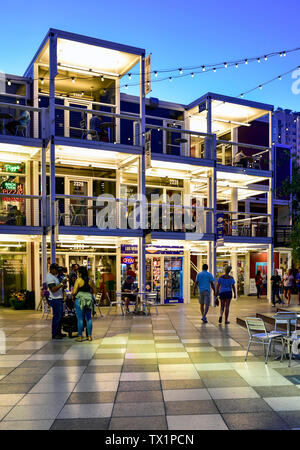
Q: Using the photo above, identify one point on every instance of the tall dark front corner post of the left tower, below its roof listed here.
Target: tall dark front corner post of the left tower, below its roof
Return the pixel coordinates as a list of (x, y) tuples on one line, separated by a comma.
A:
[(53, 73)]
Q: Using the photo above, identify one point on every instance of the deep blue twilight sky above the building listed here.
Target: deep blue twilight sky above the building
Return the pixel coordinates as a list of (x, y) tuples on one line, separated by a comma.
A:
[(178, 34)]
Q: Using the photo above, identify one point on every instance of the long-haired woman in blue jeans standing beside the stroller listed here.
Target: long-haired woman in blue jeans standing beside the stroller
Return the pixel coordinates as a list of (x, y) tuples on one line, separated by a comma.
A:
[(83, 291)]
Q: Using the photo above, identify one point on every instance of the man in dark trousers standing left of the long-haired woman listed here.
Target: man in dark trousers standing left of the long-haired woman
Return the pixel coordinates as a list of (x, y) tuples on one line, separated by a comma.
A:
[(56, 300)]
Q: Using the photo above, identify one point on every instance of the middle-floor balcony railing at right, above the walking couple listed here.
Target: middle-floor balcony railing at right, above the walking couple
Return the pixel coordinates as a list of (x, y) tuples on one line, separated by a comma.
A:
[(245, 224)]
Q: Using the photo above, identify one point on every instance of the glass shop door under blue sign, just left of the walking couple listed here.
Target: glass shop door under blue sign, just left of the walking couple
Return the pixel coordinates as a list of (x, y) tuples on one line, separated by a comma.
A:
[(173, 279)]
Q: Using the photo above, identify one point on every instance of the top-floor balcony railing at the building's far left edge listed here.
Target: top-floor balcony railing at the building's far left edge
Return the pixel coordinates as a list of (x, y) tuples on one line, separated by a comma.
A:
[(20, 120)]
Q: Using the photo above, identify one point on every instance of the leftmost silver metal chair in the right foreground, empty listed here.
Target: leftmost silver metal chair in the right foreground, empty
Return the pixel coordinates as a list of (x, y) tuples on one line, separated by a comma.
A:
[(259, 335)]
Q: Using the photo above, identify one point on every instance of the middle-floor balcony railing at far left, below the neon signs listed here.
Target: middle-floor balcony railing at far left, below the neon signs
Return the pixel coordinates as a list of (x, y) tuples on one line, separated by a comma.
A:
[(20, 210)]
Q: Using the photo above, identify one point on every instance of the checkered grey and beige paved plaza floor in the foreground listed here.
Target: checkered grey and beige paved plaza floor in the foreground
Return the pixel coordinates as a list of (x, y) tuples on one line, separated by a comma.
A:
[(165, 372)]
